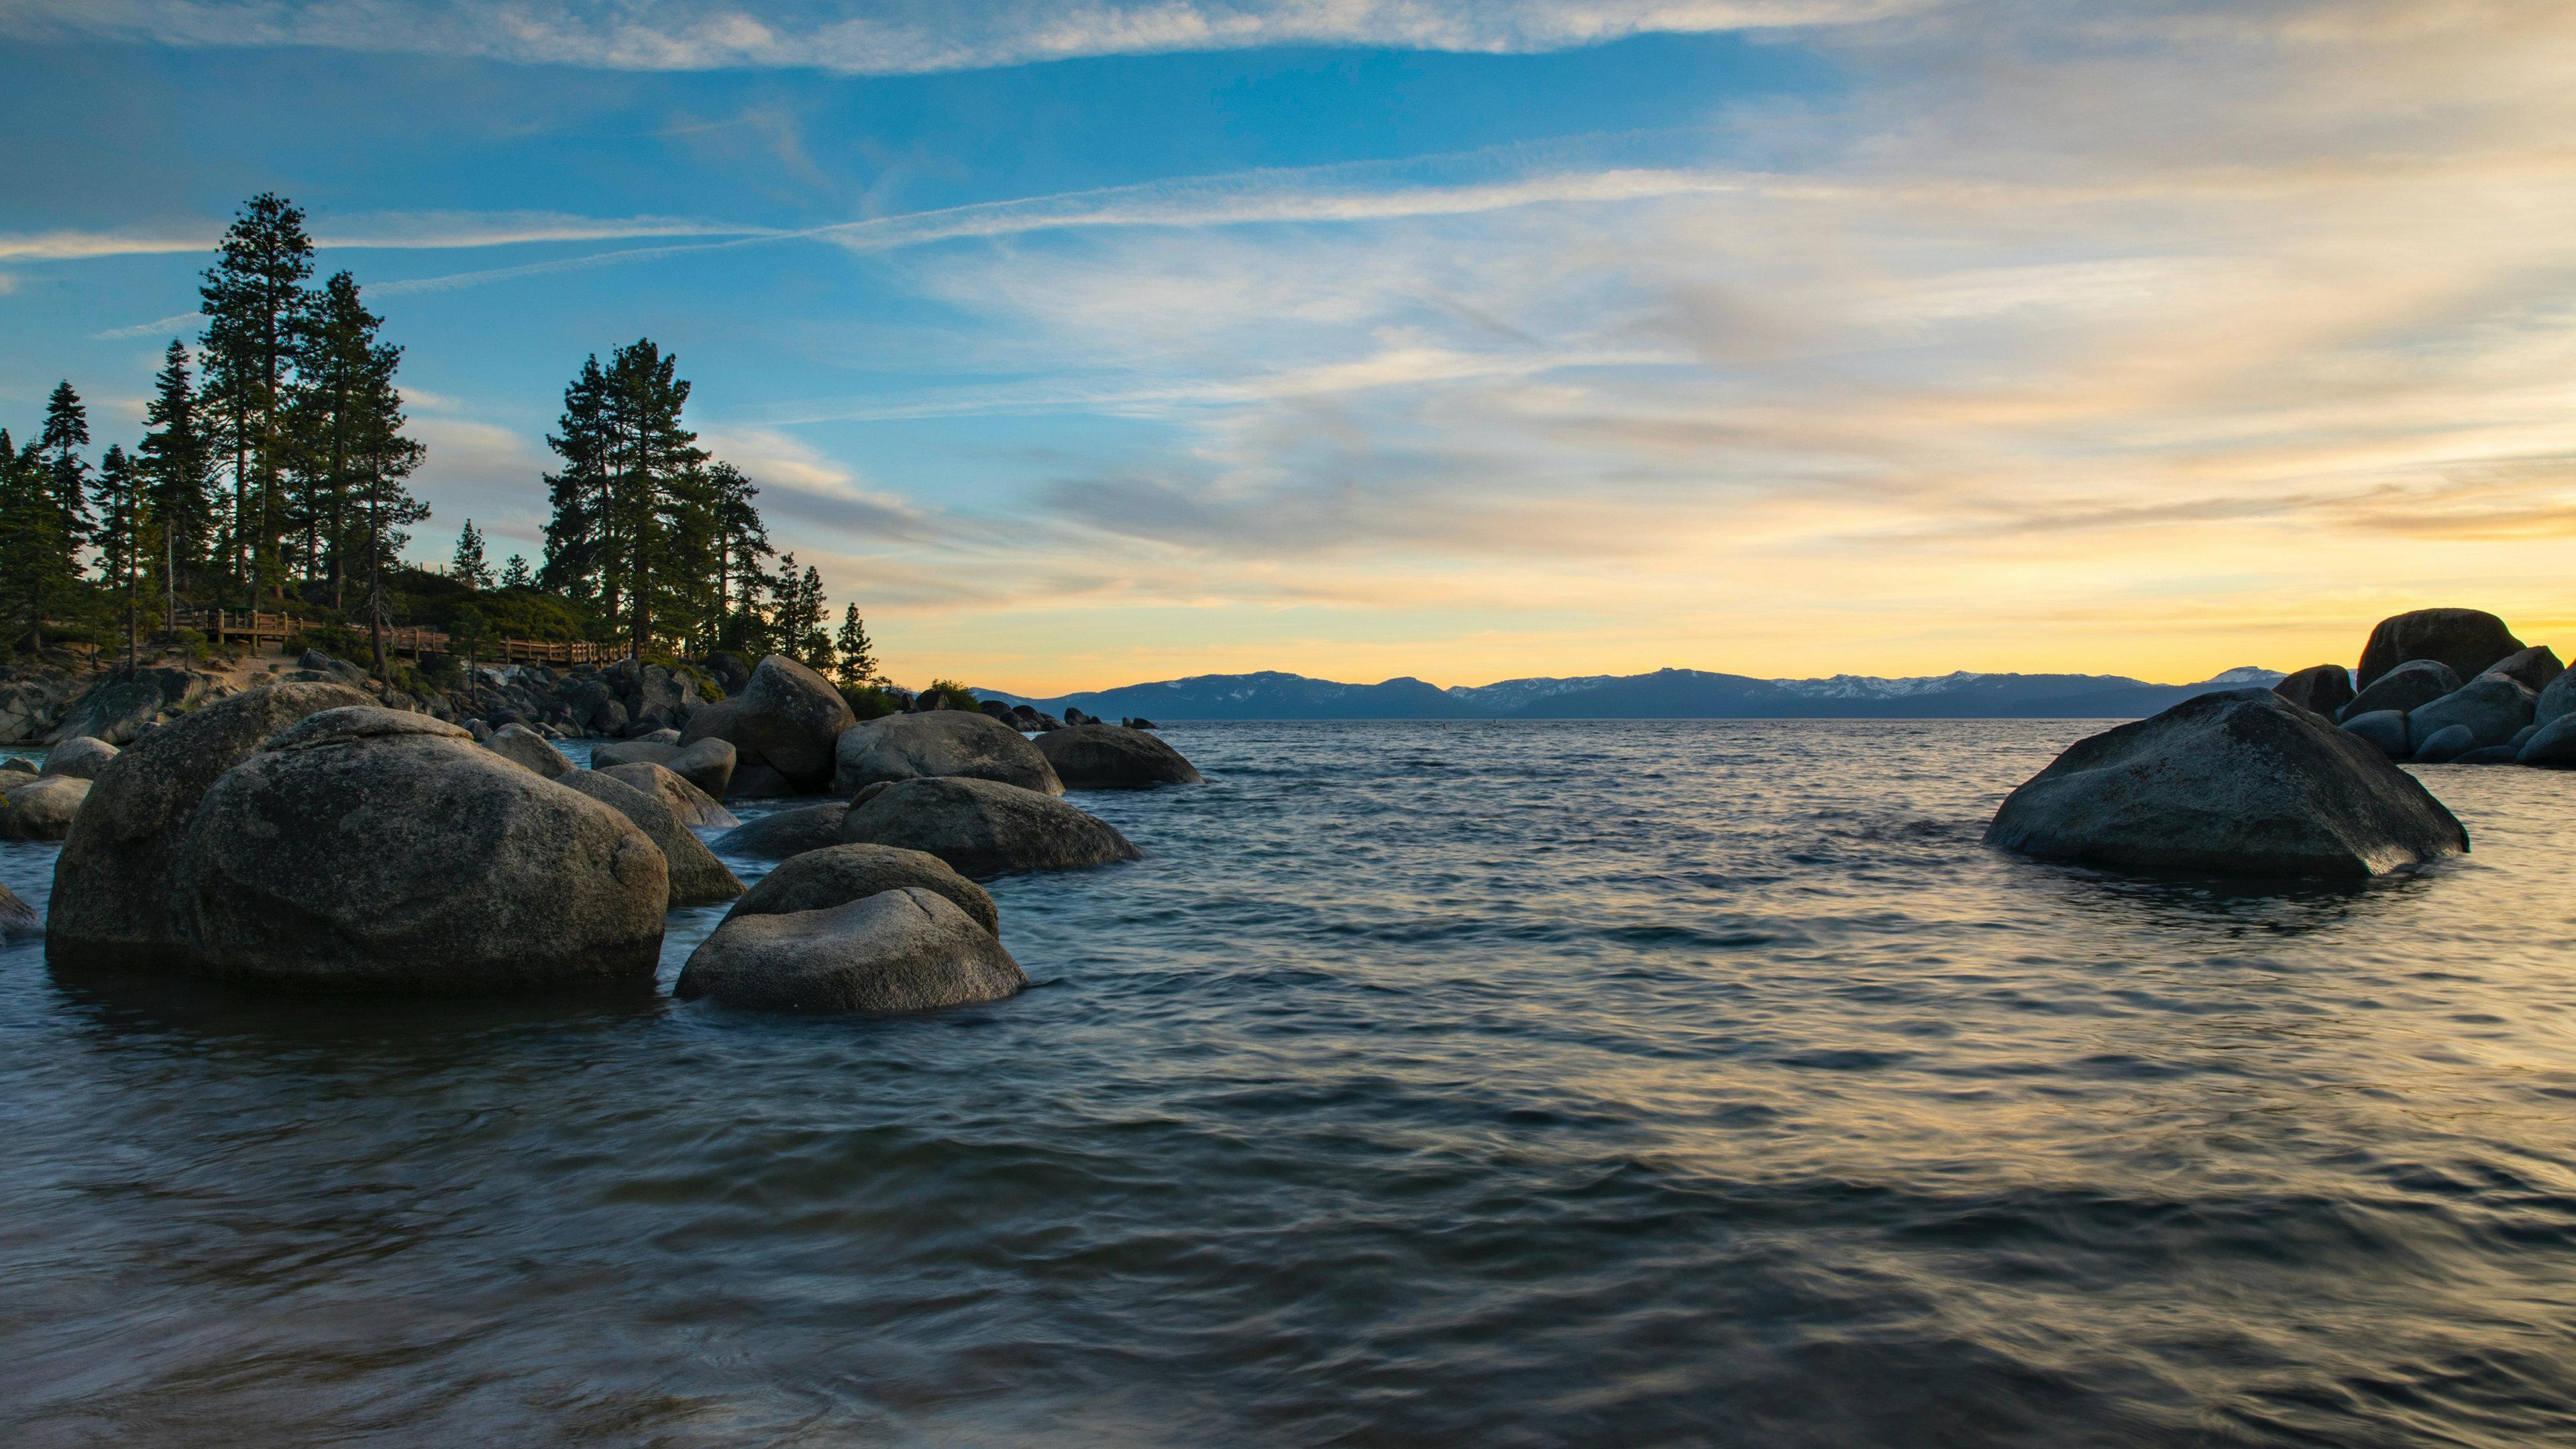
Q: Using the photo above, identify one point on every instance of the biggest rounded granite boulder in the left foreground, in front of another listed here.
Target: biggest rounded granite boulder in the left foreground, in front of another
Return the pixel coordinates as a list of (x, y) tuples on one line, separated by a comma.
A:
[(370, 850)]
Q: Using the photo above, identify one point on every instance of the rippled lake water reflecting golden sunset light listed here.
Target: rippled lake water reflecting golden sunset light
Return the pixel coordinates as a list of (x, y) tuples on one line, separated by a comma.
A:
[(1428, 1084)]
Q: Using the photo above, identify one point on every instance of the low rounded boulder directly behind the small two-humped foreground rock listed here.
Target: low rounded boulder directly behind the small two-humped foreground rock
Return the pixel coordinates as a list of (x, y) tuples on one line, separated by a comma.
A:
[(985, 829)]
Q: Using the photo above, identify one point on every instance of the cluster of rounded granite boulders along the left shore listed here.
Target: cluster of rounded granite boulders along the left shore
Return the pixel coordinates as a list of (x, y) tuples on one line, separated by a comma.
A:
[(303, 834)]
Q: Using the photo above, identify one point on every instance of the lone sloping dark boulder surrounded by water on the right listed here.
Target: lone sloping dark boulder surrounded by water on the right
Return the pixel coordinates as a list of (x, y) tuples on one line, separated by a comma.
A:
[(2235, 783)]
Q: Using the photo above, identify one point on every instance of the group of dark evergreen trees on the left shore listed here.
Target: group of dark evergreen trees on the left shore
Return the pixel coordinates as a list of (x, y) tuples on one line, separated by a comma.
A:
[(274, 476)]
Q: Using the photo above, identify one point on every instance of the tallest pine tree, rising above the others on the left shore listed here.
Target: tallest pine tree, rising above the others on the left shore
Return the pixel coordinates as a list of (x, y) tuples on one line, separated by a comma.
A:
[(256, 308)]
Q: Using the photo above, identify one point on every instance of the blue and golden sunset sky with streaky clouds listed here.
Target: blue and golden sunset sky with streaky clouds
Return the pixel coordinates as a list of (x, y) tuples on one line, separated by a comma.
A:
[(1101, 342)]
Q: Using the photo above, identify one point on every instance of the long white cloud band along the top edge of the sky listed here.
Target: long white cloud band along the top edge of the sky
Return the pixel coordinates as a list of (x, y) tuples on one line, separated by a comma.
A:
[(900, 37)]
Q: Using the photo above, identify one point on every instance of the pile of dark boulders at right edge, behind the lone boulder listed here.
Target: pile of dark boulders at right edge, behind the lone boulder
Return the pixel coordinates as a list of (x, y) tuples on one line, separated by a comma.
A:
[(2448, 687)]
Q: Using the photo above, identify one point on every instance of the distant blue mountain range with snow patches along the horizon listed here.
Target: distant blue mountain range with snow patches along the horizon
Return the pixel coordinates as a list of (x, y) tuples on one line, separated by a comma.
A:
[(1663, 695)]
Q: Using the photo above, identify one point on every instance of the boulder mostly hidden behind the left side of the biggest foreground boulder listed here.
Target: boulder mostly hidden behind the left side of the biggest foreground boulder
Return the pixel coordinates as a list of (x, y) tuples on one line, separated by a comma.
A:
[(115, 886)]
